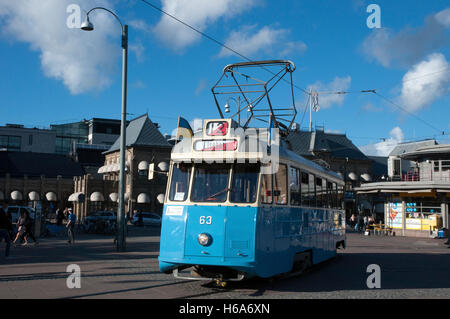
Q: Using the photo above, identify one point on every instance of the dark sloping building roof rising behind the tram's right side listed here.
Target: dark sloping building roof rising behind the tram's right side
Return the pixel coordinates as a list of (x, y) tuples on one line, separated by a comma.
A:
[(338, 145)]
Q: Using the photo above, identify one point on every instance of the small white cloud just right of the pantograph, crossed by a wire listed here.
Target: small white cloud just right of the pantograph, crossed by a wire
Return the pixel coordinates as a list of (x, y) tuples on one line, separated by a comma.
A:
[(338, 84)]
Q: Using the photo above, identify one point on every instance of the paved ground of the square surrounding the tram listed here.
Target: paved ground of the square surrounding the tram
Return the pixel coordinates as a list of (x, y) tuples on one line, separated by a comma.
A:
[(410, 268)]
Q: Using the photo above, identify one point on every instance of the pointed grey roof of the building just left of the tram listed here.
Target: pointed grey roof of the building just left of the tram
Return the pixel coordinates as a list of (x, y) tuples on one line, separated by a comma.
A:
[(141, 131)]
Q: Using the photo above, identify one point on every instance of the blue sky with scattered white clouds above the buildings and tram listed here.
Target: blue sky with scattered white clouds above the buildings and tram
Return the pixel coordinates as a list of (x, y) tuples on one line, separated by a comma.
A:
[(54, 74)]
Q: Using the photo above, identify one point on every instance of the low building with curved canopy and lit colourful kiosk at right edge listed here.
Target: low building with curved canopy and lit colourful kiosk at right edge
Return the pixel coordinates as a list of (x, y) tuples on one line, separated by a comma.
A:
[(417, 203)]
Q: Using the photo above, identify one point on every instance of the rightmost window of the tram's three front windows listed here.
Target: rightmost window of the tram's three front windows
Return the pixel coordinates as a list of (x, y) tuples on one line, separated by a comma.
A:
[(244, 183)]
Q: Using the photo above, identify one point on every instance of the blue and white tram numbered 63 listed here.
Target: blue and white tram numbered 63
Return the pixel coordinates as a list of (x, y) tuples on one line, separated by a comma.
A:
[(230, 220)]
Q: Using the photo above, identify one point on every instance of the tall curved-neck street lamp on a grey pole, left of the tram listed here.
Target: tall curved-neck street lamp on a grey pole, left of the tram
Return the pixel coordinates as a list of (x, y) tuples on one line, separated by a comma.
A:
[(88, 26)]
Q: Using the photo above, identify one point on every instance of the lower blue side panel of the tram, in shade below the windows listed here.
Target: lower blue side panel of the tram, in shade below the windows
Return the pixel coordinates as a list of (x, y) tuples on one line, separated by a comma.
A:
[(283, 232)]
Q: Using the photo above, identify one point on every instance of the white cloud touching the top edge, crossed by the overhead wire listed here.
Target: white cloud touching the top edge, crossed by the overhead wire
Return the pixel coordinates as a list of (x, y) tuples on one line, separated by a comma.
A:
[(198, 13)]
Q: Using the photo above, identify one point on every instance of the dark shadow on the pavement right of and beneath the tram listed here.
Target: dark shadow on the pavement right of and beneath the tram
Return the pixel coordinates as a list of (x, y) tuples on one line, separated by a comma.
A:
[(347, 272)]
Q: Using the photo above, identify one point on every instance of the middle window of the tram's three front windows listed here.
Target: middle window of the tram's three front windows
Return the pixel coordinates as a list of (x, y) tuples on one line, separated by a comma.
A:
[(210, 183)]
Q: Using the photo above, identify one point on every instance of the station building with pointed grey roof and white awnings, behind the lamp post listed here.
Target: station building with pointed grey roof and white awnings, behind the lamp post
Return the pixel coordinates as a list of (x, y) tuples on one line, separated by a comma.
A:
[(145, 145)]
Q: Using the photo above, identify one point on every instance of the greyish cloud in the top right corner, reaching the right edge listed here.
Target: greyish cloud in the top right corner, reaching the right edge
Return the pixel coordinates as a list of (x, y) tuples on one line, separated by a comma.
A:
[(408, 46)]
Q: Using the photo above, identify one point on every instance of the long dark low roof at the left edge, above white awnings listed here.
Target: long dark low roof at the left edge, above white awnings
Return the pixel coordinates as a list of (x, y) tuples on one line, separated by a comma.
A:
[(37, 164)]
